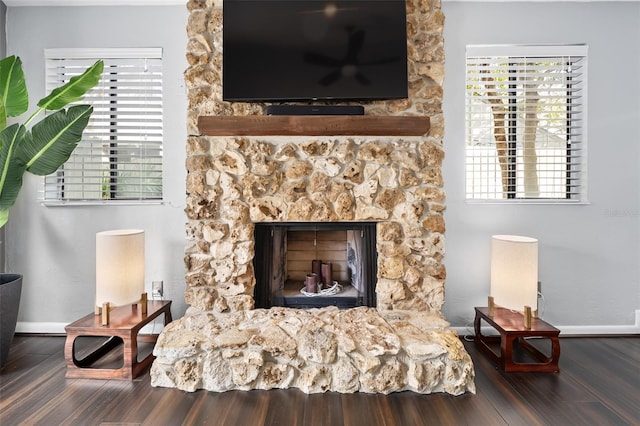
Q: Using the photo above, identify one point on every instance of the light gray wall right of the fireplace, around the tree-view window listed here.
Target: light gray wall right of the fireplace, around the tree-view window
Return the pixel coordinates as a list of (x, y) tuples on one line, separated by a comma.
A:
[(589, 254)]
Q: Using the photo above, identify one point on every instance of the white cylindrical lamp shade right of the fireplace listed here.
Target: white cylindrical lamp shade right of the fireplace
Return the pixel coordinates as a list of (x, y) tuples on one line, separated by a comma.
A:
[(514, 271)]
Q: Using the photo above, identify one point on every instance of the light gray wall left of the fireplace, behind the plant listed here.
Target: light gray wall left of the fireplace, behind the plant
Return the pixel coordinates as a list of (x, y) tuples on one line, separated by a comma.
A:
[(54, 247)]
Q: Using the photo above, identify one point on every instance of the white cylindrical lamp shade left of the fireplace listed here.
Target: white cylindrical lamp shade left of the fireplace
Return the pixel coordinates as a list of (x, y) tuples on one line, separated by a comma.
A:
[(119, 266)]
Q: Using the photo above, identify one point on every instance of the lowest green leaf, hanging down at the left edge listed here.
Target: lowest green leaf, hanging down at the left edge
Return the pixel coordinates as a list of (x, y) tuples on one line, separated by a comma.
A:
[(12, 168)]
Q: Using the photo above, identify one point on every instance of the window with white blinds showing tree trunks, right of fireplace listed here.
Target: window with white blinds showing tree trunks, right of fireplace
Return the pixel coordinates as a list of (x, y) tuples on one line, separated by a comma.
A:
[(525, 123)]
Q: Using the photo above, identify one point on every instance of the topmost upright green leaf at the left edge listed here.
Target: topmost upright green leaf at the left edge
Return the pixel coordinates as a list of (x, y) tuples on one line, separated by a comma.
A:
[(13, 88)]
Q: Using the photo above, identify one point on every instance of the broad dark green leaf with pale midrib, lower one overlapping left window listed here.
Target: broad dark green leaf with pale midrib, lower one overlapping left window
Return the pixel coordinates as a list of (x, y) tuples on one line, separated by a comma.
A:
[(54, 139)]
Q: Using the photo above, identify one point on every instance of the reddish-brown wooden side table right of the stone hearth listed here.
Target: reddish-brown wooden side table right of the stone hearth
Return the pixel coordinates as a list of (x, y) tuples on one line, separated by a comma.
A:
[(510, 325)]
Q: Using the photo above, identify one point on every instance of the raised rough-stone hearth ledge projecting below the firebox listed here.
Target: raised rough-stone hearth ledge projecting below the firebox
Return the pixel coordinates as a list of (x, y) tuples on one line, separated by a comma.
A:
[(316, 350)]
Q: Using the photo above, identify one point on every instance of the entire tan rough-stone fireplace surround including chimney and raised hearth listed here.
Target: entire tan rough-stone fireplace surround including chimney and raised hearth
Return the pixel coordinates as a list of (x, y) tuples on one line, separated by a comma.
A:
[(233, 182)]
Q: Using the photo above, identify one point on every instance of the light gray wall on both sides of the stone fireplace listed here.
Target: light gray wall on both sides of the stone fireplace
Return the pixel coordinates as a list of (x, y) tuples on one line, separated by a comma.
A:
[(589, 254)]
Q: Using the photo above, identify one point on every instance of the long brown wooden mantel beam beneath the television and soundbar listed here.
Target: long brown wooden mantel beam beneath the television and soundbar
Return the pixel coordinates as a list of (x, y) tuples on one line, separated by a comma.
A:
[(313, 125)]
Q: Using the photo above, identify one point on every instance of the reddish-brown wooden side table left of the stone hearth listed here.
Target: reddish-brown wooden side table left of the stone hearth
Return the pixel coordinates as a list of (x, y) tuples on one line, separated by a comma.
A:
[(125, 323)]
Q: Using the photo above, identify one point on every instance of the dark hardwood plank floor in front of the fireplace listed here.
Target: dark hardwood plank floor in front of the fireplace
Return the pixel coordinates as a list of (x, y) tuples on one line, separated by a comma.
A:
[(598, 384)]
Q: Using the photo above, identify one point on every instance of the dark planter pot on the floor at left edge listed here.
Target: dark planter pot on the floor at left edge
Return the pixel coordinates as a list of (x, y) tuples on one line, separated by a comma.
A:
[(10, 289)]
